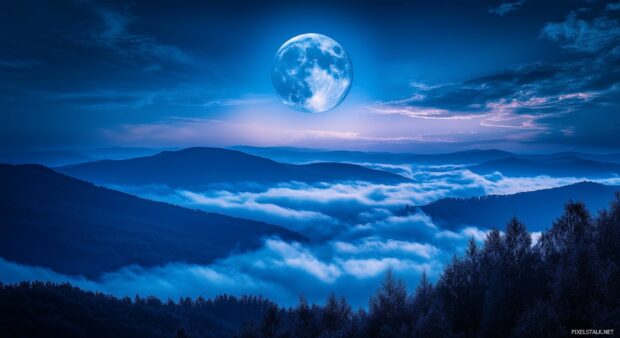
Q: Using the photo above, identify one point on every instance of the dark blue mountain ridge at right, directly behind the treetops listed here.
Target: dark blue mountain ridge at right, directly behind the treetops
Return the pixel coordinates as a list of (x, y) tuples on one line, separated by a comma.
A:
[(537, 209)]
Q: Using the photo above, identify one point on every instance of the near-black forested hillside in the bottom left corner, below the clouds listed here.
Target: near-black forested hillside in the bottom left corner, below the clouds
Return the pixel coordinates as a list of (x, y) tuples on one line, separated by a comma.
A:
[(60, 310)]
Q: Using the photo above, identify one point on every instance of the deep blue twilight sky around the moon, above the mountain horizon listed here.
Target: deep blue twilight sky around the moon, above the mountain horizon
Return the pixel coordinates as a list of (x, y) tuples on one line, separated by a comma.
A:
[(517, 75)]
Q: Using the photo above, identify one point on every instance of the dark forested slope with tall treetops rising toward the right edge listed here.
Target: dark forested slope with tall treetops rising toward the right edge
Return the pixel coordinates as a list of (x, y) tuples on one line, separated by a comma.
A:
[(506, 287)]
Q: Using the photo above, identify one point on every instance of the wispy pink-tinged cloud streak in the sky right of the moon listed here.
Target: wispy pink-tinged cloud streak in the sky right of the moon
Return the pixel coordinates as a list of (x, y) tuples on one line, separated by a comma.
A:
[(526, 103)]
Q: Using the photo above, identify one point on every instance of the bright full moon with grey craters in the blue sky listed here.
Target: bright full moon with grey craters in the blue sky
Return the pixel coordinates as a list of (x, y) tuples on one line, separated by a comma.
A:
[(312, 73)]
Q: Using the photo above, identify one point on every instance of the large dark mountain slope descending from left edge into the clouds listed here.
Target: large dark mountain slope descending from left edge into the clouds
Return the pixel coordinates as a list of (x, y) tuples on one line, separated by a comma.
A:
[(74, 227)]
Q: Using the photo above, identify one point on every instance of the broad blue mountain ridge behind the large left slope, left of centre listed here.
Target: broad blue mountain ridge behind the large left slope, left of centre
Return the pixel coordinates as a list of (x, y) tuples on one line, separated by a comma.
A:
[(195, 167)]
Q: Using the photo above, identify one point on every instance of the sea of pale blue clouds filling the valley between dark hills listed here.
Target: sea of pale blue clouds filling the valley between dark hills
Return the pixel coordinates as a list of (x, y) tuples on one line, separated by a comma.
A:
[(356, 229)]
